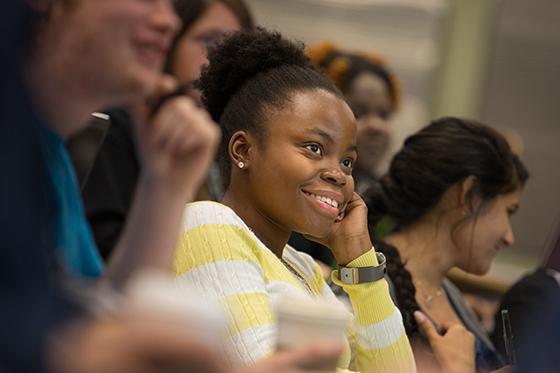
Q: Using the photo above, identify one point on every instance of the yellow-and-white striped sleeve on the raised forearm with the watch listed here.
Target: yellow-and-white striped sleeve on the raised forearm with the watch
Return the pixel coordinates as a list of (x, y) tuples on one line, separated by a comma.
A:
[(377, 337)]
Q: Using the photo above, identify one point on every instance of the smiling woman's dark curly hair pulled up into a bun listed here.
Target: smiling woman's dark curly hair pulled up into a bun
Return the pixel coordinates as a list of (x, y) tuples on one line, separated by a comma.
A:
[(250, 72)]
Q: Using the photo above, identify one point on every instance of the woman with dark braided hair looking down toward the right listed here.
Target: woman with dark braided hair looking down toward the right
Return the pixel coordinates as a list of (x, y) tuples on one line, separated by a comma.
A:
[(451, 191)]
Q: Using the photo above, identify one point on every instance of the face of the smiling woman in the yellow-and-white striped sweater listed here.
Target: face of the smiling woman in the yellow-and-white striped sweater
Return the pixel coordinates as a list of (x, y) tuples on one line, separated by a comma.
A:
[(301, 176)]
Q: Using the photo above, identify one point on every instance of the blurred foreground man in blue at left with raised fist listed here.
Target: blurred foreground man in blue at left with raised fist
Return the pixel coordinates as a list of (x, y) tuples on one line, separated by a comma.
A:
[(73, 65)]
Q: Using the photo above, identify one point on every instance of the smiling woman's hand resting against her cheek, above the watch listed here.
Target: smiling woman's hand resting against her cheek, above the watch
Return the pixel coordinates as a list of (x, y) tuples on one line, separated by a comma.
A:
[(349, 237)]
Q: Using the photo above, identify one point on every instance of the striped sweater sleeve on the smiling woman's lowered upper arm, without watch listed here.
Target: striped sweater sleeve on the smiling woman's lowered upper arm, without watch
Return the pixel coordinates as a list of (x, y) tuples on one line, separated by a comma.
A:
[(220, 262)]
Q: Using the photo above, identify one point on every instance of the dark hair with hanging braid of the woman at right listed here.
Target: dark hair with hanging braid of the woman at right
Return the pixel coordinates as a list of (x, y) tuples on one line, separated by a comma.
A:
[(445, 152)]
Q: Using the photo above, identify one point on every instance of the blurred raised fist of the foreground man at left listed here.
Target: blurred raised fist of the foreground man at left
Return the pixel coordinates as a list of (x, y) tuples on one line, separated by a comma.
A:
[(177, 143)]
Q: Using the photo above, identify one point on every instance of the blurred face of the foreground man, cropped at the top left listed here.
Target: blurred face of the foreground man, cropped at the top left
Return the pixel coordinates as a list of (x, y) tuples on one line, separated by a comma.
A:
[(114, 50)]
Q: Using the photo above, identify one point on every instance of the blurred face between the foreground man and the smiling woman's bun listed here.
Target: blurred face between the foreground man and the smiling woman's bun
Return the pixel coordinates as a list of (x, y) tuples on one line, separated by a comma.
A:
[(192, 48)]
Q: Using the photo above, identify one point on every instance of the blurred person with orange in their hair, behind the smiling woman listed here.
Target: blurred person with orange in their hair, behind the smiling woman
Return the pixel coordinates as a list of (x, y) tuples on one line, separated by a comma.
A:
[(373, 94)]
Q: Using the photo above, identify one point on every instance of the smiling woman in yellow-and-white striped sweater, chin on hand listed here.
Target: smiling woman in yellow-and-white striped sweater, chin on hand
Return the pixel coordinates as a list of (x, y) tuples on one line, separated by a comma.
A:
[(287, 152)]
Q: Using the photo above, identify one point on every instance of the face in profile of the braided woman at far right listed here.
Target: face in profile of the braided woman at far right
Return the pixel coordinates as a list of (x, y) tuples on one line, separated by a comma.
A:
[(480, 239)]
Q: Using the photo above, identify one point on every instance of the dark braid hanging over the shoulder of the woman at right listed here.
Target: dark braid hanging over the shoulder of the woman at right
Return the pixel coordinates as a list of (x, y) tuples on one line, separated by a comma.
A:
[(404, 287)]
